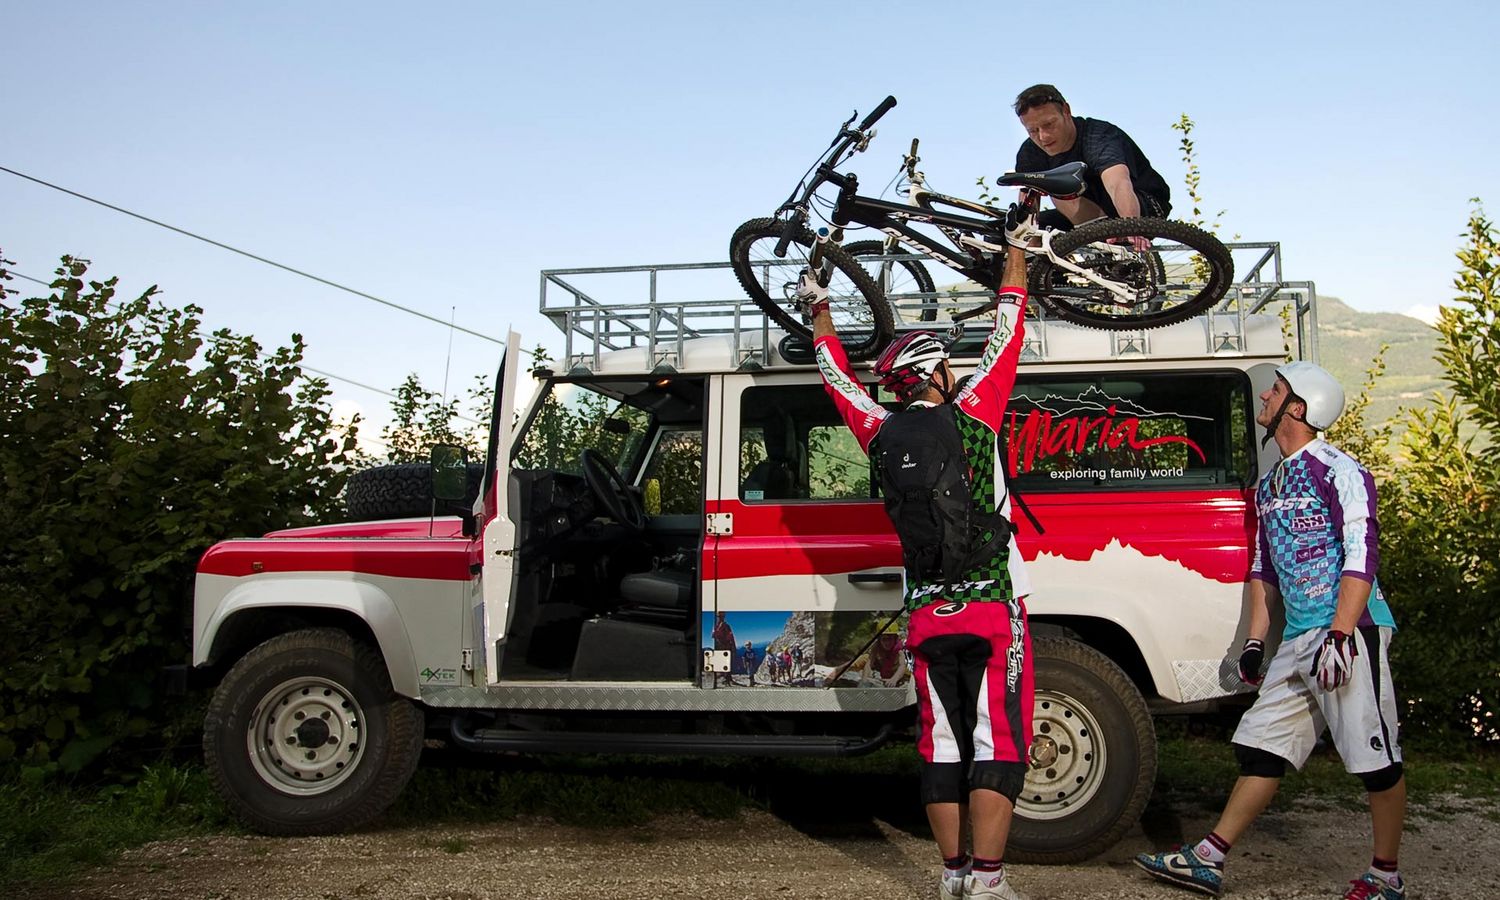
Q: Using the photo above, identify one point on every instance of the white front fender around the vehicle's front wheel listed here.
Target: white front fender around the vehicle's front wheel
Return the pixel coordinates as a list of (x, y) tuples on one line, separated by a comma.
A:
[(218, 599)]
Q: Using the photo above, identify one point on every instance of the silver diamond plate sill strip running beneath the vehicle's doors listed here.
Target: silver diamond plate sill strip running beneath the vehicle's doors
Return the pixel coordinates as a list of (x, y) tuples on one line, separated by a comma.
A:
[(668, 698)]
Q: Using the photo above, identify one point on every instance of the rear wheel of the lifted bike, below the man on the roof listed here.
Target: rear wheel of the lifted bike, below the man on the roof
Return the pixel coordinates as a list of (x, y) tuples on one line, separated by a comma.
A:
[(1186, 272)]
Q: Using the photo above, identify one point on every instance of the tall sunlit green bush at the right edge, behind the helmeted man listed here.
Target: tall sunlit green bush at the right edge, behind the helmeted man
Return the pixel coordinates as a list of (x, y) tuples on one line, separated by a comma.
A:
[(1441, 517)]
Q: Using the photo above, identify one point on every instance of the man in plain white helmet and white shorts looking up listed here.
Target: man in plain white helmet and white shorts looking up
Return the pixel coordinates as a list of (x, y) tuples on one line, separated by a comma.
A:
[(1316, 557)]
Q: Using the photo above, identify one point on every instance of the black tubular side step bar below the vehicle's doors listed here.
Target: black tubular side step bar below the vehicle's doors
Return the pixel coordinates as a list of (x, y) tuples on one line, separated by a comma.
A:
[(497, 740)]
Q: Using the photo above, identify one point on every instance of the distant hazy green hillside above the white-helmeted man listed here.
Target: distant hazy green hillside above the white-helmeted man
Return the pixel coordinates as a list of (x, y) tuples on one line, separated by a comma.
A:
[(1349, 341)]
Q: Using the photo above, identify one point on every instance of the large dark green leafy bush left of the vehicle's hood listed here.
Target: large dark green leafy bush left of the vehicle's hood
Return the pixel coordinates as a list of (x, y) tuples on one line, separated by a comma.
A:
[(130, 443)]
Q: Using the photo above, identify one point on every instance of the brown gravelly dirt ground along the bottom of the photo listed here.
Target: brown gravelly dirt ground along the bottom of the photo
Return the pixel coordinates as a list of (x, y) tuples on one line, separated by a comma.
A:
[(1303, 853)]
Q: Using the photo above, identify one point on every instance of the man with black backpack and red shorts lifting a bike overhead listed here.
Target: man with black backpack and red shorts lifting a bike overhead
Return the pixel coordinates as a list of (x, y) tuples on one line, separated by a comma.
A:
[(965, 578)]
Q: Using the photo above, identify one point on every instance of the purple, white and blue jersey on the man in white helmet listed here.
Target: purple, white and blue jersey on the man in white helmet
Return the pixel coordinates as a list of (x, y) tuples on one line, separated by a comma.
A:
[(1318, 524)]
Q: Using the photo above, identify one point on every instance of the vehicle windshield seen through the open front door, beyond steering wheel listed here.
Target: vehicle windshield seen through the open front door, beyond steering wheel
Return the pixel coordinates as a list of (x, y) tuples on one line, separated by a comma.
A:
[(575, 418)]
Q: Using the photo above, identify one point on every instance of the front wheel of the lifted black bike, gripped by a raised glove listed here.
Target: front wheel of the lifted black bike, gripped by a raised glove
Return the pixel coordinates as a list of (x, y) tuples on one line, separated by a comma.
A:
[(859, 310)]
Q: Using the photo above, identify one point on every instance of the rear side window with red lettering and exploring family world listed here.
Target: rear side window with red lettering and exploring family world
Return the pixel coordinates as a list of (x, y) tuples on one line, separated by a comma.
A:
[(1130, 431)]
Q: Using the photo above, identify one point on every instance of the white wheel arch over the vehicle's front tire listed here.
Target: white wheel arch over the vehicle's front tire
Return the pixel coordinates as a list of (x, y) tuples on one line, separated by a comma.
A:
[(256, 613)]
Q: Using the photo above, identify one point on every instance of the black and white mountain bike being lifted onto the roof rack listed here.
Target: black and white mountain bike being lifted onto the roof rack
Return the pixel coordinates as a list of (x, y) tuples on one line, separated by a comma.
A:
[(1093, 275)]
